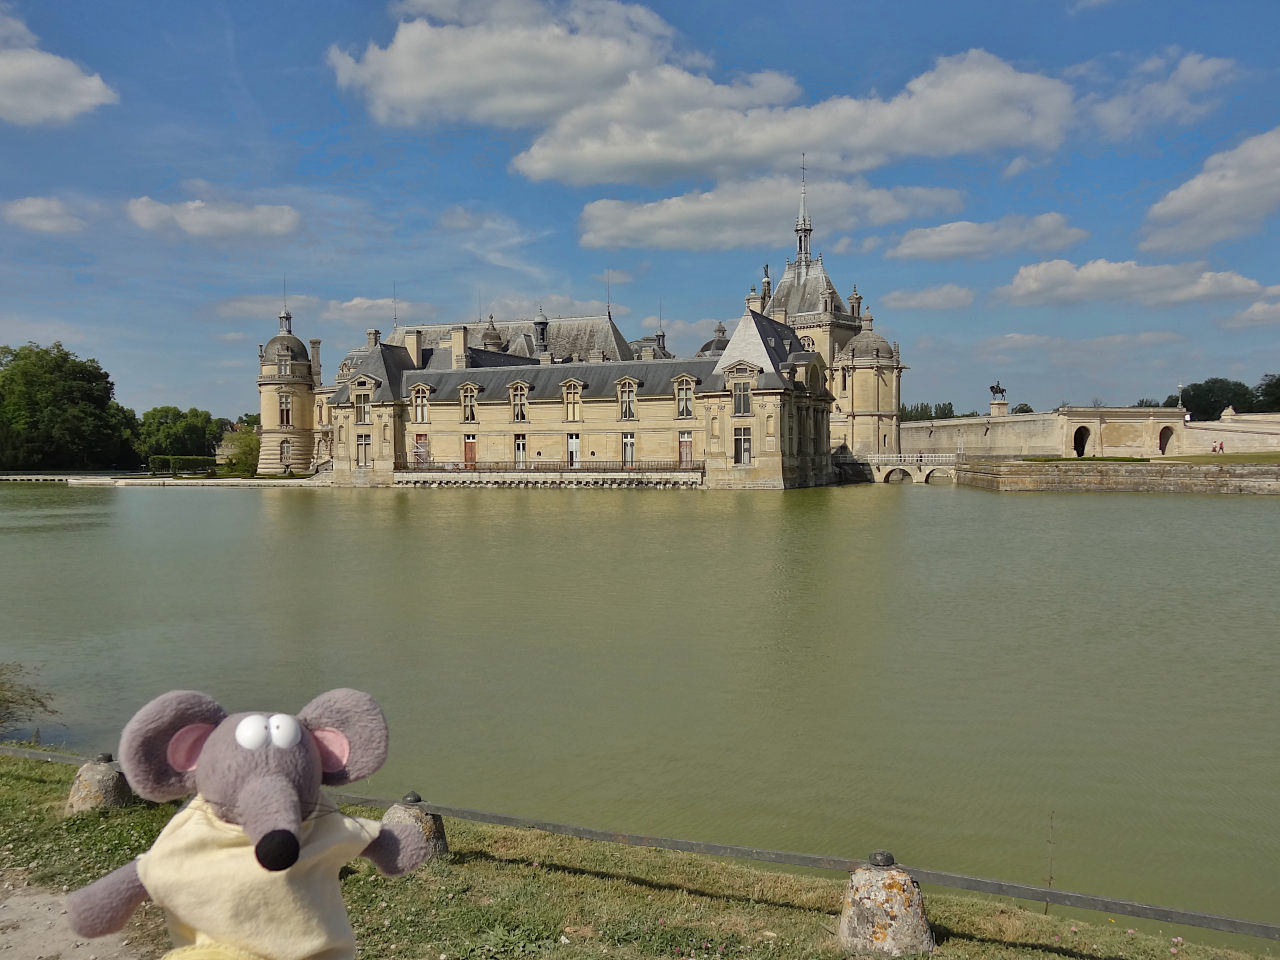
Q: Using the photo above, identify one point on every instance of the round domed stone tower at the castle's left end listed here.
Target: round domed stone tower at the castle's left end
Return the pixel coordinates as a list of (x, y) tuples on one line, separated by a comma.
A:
[(286, 390)]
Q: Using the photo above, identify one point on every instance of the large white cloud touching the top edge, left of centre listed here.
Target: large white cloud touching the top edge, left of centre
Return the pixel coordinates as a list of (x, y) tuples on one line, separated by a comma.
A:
[(509, 65)]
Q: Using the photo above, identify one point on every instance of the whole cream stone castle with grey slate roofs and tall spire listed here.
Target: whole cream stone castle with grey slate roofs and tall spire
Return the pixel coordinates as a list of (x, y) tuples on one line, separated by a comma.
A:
[(570, 401)]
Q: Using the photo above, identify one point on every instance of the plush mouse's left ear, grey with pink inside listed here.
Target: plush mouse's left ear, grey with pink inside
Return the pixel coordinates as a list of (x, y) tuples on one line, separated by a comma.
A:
[(162, 744)]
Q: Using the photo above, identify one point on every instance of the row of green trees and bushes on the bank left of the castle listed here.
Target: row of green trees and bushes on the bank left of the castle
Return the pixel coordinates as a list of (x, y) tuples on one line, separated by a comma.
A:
[(60, 413)]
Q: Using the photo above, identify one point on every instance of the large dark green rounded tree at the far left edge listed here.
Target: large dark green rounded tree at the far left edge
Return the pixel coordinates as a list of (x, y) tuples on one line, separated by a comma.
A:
[(60, 413)]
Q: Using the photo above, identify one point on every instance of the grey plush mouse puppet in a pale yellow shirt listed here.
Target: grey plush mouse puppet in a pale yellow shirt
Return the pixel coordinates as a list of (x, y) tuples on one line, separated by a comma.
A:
[(249, 868)]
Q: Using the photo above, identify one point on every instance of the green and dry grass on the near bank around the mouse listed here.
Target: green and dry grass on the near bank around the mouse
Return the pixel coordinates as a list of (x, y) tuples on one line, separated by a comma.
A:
[(508, 893)]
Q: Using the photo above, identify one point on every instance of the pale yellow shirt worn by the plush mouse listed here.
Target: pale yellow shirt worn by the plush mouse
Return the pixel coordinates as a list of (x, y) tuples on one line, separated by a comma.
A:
[(204, 874)]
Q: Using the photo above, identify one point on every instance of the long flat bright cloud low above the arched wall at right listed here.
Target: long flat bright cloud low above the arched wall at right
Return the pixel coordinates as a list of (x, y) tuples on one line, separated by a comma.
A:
[(1063, 282)]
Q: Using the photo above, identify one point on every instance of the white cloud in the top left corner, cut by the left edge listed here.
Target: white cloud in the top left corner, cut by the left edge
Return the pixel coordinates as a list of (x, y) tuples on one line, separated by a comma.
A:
[(42, 88)]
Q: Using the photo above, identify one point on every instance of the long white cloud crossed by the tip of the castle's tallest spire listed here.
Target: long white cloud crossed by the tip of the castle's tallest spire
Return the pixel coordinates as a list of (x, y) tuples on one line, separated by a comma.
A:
[(752, 213)]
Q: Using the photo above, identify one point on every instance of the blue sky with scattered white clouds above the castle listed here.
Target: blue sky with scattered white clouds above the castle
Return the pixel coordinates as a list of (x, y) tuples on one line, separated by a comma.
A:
[(1078, 198)]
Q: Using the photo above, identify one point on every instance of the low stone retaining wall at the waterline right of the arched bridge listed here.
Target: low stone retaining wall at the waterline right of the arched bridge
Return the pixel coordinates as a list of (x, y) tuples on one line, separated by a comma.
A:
[(1100, 477)]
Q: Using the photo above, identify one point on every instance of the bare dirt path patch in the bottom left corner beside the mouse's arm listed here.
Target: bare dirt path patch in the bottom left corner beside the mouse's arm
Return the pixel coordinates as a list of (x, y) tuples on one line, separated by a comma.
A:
[(34, 927)]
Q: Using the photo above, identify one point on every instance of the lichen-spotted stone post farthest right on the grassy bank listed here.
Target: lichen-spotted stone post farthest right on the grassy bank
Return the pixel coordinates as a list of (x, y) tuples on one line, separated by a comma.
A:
[(884, 912)]
